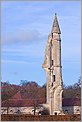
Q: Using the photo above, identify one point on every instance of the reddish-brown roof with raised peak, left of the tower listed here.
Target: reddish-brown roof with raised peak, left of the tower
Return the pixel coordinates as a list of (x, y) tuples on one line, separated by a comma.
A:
[(19, 101)]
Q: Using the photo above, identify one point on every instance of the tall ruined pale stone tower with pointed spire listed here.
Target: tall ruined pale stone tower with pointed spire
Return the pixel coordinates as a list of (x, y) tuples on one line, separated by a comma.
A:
[(52, 67)]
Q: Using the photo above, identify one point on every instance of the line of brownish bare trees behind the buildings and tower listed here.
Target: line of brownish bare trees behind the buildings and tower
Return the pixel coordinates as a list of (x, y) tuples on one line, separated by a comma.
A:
[(32, 90)]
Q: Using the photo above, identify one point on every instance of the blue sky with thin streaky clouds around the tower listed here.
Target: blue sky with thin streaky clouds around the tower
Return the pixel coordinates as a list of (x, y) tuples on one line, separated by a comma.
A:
[(25, 27)]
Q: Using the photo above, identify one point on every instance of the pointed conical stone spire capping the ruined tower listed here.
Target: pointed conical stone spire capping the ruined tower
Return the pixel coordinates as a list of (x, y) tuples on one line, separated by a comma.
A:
[(55, 27)]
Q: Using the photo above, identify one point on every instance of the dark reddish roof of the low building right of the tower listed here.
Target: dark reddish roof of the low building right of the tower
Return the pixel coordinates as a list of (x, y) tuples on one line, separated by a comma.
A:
[(71, 102)]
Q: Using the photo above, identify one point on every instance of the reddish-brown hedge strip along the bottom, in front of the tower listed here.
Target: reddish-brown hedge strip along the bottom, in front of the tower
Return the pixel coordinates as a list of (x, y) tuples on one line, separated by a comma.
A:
[(13, 117)]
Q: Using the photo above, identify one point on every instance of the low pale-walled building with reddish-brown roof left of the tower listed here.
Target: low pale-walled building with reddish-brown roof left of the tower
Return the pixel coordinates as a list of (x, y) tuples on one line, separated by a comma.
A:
[(19, 105)]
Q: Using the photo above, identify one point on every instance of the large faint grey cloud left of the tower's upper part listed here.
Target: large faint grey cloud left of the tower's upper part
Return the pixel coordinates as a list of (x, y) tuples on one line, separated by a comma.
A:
[(22, 36)]
